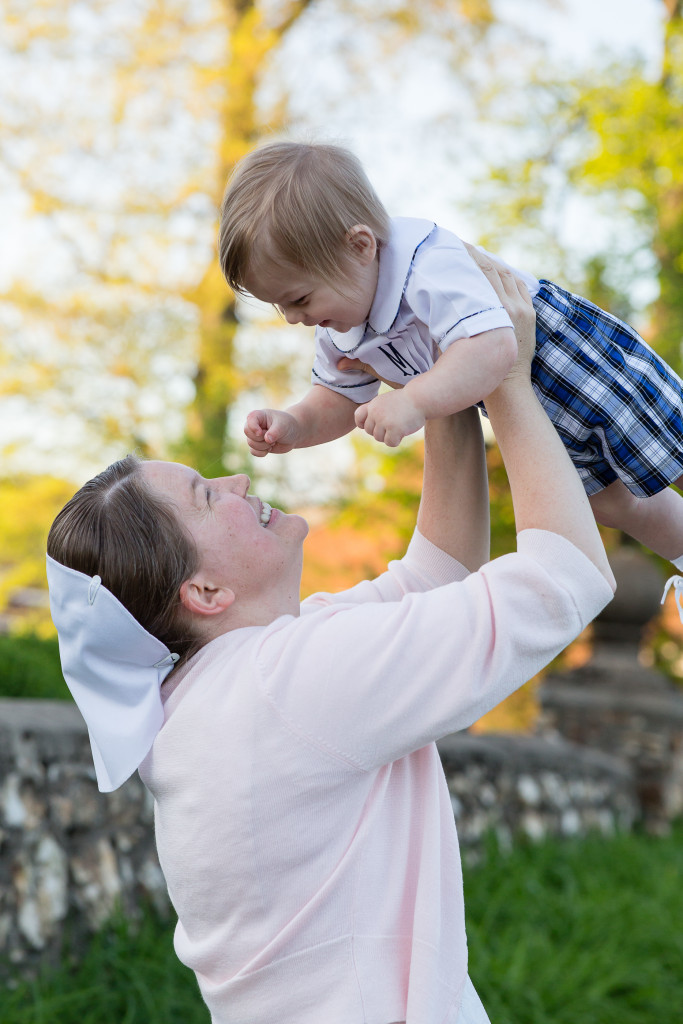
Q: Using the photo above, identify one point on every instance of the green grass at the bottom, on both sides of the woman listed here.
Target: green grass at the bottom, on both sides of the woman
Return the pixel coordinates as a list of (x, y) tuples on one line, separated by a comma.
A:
[(581, 932)]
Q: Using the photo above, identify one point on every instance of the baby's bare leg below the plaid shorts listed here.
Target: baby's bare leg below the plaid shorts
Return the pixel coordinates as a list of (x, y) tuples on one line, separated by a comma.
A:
[(656, 523)]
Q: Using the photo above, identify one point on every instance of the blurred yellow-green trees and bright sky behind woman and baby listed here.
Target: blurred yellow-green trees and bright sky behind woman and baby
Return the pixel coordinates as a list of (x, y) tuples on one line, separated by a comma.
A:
[(547, 131)]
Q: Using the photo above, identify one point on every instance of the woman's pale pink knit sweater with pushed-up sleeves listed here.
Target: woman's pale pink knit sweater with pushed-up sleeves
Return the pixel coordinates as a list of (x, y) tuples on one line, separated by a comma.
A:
[(304, 822)]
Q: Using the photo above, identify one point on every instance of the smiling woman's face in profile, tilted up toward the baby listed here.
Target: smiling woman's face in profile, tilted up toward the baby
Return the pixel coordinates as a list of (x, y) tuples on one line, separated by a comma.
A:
[(239, 546)]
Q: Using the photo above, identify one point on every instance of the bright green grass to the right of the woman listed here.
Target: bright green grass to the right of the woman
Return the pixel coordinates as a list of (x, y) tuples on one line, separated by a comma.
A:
[(579, 932)]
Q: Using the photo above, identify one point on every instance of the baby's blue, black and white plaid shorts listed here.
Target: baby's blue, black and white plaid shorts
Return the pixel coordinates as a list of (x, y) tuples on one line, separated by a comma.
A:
[(616, 404)]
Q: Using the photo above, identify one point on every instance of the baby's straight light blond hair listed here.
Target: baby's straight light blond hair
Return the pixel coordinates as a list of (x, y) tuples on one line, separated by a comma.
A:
[(296, 202)]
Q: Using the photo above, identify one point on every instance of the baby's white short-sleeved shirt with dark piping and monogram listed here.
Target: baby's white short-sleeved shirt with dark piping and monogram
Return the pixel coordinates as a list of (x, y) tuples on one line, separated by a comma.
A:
[(430, 293)]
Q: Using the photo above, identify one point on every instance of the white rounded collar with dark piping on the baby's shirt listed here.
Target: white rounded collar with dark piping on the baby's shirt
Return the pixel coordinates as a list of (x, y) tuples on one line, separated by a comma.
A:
[(396, 260)]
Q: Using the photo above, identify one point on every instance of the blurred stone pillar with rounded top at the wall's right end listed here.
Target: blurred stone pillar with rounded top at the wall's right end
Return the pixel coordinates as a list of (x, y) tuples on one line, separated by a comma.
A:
[(615, 704)]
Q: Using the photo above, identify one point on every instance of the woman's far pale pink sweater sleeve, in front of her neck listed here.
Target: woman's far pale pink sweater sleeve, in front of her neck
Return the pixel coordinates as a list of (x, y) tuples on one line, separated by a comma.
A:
[(422, 568)]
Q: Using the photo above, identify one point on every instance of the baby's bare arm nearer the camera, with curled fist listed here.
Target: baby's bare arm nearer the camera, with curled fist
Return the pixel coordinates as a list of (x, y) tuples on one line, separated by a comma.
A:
[(468, 371)]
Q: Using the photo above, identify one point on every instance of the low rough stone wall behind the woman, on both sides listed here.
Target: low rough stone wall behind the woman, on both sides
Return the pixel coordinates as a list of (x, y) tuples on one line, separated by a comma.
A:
[(70, 855)]
